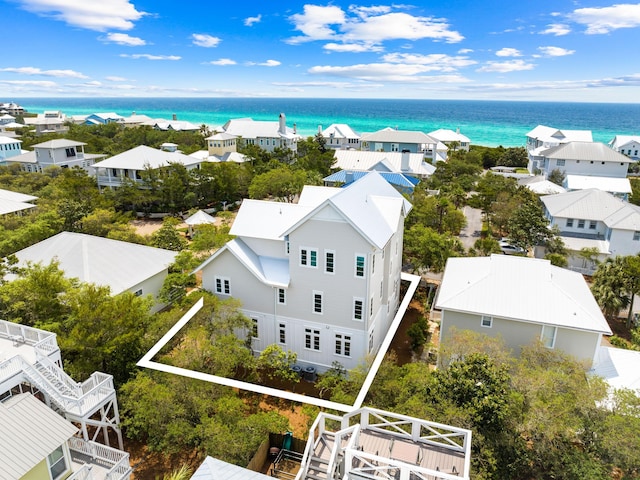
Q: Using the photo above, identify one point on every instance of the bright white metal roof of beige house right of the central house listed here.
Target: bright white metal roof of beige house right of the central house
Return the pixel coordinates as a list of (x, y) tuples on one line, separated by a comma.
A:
[(500, 286)]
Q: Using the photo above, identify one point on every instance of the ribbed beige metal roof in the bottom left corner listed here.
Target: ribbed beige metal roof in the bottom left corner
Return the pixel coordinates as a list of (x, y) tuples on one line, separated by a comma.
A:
[(30, 432)]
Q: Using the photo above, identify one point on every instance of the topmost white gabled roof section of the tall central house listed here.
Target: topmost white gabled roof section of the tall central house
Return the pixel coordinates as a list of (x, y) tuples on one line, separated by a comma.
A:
[(370, 205)]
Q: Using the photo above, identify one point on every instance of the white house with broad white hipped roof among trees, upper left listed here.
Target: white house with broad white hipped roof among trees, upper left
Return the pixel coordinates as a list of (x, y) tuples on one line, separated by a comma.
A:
[(112, 172)]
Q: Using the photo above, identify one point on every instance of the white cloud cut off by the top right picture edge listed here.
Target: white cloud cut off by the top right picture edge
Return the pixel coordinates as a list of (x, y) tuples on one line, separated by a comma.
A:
[(606, 19)]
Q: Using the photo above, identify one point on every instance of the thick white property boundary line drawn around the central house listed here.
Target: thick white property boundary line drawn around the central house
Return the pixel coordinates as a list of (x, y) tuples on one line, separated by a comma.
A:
[(147, 361)]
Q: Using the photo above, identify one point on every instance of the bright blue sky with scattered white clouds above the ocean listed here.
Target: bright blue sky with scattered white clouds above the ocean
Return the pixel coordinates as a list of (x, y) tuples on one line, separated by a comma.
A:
[(495, 50)]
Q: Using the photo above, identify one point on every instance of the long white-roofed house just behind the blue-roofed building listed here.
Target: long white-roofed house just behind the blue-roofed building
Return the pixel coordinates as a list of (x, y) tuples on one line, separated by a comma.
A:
[(393, 162)]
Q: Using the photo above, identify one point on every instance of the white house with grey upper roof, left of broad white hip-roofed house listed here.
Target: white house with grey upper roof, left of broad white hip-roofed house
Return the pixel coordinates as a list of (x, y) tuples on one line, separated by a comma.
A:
[(56, 153)]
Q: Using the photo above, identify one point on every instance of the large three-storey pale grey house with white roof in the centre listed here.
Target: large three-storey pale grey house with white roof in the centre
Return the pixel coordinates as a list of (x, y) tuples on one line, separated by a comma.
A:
[(320, 277)]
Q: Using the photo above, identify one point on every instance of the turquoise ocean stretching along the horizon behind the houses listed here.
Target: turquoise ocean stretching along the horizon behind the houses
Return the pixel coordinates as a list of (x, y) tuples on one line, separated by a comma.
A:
[(489, 123)]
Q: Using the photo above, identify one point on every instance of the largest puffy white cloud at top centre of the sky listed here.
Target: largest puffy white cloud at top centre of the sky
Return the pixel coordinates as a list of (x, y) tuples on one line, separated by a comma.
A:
[(367, 24)]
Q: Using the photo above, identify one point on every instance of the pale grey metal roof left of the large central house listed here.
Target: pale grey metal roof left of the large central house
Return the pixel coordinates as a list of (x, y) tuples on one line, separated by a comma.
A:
[(118, 265)]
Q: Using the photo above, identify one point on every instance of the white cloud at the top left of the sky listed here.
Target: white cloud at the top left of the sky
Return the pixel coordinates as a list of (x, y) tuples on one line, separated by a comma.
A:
[(100, 16)]
